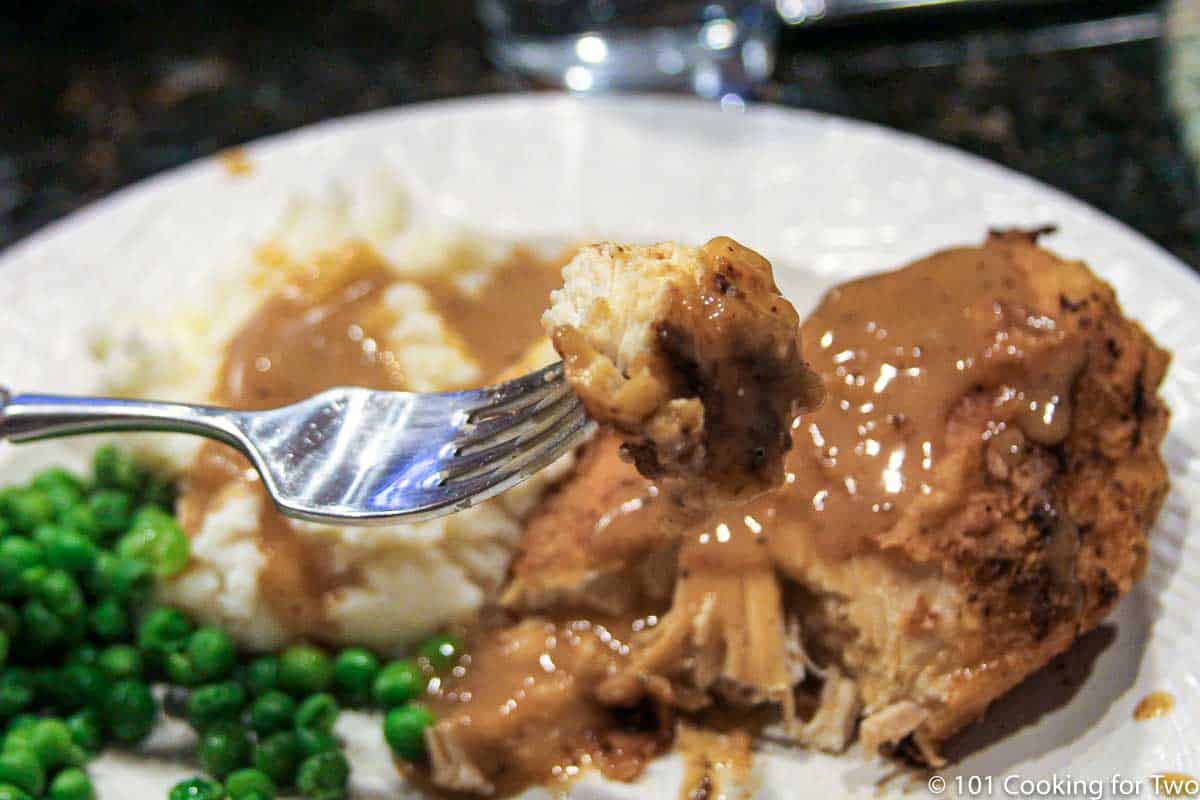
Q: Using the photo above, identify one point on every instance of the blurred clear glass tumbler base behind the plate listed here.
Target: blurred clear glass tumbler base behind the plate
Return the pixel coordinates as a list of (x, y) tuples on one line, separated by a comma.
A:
[(715, 50)]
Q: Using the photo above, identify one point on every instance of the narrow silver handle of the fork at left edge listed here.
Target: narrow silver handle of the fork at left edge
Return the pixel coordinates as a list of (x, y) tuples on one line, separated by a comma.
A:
[(28, 418)]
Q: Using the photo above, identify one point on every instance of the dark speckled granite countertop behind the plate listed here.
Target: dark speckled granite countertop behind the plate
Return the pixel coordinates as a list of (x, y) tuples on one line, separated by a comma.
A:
[(100, 95)]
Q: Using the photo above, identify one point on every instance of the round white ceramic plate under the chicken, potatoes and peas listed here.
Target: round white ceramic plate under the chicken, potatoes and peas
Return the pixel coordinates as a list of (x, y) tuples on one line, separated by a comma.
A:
[(825, 200)]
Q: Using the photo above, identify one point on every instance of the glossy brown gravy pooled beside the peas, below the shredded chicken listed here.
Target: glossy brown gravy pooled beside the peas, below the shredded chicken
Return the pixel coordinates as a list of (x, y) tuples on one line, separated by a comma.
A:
[(523, 703)]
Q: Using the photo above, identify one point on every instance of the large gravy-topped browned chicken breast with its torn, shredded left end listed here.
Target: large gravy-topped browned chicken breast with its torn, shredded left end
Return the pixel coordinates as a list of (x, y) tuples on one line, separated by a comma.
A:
[(973, 496)]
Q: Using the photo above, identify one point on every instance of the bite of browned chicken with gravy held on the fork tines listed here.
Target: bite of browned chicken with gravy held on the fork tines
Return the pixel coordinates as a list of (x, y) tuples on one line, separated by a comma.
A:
[(693, 356)]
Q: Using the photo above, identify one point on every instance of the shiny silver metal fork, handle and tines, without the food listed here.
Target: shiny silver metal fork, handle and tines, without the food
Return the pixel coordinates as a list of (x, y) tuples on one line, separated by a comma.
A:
[(353, 455)]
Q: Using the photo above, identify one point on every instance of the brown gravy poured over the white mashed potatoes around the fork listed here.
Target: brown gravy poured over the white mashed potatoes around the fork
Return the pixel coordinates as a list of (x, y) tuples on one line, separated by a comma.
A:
[(327, 327)]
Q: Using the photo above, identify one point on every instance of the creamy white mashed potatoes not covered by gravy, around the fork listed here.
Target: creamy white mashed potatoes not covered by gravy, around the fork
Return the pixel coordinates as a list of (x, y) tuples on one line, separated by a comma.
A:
[(404, 582)]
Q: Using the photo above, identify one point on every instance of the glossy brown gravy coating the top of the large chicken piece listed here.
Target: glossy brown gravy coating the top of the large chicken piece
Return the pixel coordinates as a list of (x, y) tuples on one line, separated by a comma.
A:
[(875, 446)]
